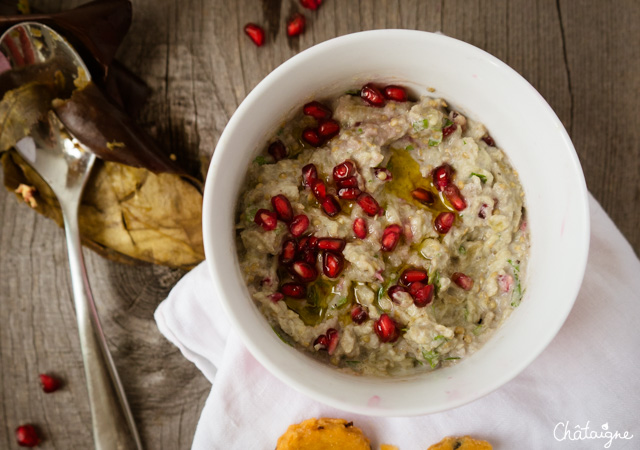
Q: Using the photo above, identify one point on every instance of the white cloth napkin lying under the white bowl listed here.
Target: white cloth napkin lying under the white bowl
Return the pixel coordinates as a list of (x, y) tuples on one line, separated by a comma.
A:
[(586, 383)]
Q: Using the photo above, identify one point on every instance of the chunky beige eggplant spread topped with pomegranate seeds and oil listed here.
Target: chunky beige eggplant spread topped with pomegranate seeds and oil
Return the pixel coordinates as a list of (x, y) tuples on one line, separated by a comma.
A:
[(383, 235)]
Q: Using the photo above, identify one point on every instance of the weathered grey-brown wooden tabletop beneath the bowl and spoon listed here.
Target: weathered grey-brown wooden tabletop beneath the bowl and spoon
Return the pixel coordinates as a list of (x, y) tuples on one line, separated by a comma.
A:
[(583, 57)]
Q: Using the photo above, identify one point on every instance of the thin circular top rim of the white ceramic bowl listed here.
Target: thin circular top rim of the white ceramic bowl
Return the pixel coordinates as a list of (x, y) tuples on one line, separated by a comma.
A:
[(255, 349)]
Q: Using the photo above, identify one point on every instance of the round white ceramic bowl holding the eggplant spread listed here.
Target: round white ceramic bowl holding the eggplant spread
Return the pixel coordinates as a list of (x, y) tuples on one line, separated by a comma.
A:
[(520, 121)]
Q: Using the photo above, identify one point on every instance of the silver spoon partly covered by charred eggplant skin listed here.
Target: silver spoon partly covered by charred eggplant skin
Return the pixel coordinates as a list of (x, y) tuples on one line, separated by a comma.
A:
[(65, 164)]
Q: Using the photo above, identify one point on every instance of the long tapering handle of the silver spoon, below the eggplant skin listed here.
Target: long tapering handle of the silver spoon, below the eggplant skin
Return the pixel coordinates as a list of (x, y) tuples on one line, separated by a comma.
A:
[(113, 424)]
